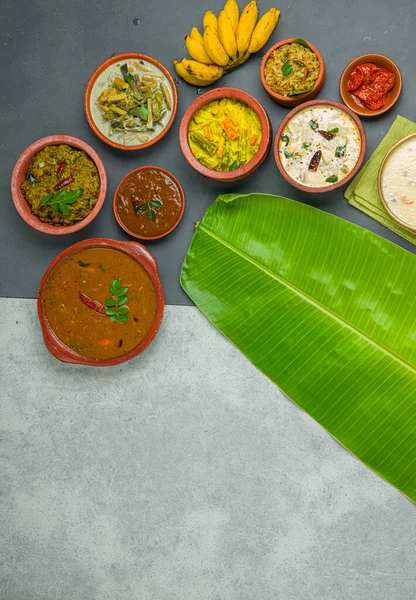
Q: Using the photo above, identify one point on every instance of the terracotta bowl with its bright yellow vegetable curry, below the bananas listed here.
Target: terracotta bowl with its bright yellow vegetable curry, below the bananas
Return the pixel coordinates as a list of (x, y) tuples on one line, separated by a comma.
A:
[(225, 134)]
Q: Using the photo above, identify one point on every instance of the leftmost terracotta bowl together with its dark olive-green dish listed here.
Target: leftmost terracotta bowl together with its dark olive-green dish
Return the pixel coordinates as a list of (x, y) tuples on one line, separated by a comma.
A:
[(88, 174)]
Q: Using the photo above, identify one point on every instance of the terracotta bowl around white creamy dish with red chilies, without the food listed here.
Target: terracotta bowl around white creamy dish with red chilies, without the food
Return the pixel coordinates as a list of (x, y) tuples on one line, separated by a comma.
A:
[(350, 175)]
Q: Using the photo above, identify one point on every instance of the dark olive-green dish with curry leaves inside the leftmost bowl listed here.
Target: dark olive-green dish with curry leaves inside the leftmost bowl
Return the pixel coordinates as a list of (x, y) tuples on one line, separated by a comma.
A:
[(62, 185)]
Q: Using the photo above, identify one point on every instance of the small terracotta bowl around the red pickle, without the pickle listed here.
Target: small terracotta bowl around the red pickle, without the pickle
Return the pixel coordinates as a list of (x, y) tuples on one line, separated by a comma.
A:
[(380, 61)]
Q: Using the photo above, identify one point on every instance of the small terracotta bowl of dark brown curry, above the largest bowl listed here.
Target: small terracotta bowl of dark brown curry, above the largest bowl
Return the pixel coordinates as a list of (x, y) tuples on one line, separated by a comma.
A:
[(148, 203)]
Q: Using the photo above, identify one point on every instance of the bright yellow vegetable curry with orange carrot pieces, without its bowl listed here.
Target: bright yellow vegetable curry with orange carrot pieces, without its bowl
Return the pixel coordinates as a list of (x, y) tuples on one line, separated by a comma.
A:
[(224, 134)]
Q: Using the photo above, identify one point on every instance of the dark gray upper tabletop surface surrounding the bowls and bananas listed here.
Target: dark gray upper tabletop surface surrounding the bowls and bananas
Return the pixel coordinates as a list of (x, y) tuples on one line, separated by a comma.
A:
[(50, 48)]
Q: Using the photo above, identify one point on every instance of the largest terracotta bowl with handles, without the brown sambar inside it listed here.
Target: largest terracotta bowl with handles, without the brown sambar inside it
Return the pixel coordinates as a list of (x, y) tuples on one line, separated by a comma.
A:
[(139, 254)]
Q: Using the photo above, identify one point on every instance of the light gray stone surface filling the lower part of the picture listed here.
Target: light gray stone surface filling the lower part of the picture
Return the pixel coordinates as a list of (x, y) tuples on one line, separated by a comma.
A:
[(182, 475)]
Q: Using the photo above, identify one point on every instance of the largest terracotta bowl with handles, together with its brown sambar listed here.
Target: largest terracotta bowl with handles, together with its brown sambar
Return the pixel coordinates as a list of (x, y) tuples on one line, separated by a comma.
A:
[(100, 302)]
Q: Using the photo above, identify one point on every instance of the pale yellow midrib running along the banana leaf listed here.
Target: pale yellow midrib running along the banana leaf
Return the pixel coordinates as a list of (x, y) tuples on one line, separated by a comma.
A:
[(308, 298)]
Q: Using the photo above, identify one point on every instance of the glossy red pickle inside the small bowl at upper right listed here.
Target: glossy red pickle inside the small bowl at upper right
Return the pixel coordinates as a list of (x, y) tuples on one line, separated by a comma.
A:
[(370, 85)]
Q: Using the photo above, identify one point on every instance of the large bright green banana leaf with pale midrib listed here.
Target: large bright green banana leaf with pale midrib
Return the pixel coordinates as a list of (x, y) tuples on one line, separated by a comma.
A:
[(325, 309)]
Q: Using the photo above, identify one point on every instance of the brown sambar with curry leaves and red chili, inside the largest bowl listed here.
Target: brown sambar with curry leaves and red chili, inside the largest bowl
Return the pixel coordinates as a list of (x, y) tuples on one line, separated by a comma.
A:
[(100, 302)]
